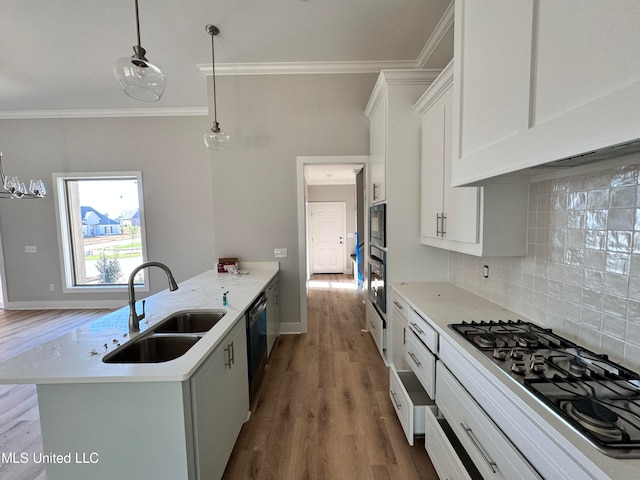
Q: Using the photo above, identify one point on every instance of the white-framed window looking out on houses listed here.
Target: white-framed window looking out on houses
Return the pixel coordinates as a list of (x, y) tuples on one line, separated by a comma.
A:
[(101, 229)]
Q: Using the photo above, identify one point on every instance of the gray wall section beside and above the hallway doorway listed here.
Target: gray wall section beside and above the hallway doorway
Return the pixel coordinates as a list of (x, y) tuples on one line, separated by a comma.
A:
[(272, 120)]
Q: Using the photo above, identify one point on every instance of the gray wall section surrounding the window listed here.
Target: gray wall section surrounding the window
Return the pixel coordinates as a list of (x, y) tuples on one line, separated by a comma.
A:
[(176, 173)]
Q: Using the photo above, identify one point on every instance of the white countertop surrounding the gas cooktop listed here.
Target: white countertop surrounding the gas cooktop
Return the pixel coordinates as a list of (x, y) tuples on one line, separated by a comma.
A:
[(444, 303)]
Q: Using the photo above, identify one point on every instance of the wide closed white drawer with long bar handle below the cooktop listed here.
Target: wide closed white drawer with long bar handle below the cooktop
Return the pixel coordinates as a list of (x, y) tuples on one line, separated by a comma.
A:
[(490, 450)]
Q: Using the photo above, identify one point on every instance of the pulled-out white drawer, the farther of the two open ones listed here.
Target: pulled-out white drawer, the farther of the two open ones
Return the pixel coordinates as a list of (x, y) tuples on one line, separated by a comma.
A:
[(409, 401)]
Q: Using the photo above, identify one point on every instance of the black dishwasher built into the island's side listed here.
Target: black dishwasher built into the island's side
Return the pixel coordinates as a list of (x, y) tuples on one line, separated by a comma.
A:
[(257, 342)]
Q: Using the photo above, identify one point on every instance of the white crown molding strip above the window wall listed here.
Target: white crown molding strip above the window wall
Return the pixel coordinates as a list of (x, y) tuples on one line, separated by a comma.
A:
[(104, 113)]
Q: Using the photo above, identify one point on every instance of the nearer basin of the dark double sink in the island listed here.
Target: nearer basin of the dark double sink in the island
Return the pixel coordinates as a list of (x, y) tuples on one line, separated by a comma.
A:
[(152, 349)]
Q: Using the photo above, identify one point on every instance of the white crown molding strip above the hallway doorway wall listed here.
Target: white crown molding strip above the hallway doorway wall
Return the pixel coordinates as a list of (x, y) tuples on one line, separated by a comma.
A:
[(304, 68)]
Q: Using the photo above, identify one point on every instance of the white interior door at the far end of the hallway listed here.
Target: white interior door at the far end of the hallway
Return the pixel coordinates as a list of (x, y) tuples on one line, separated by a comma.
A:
[(327, 234)]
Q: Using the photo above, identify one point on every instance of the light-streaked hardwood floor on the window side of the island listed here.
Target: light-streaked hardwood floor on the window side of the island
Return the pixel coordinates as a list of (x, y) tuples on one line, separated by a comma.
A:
[(19, 417)]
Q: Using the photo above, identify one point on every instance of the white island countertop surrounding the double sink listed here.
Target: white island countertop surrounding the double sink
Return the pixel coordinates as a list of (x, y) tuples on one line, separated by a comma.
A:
[(77, 356)]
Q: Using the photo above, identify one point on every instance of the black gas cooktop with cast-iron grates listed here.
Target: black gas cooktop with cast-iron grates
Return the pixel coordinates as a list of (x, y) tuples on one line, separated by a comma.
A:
[(597, 397)]
